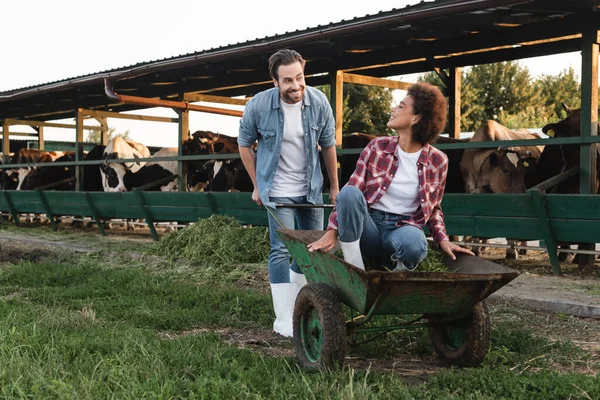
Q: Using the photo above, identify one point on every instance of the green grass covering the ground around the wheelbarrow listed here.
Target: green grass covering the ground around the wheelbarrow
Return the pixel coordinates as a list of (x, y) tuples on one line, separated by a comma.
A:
[(87, 326)]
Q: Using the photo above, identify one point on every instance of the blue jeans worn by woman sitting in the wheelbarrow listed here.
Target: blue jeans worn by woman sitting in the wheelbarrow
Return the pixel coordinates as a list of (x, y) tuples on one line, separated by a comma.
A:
[(379, 236)]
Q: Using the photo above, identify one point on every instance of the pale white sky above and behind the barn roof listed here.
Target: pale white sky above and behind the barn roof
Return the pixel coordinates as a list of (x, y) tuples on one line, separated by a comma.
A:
[(59, 39)]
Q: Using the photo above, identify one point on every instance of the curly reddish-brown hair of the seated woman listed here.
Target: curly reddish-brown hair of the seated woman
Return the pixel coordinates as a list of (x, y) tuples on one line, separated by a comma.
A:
[(431, 105)]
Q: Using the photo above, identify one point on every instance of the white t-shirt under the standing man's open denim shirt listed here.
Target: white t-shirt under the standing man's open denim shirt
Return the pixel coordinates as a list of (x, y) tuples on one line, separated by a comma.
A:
[(291, 179)]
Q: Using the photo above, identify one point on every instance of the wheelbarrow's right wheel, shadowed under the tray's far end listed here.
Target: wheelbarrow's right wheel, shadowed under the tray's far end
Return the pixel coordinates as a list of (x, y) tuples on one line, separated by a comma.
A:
[(463, 342)]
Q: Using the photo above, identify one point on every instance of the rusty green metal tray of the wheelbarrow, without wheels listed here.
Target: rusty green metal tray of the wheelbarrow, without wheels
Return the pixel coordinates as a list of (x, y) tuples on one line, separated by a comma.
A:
[(389, 293)]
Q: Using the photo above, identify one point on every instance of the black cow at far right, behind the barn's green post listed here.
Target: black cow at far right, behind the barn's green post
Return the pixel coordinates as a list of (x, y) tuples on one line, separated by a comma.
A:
[(559, 158)]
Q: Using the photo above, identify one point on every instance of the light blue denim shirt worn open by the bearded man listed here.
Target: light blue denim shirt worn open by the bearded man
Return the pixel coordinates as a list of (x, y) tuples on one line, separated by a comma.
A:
[(263, 121)]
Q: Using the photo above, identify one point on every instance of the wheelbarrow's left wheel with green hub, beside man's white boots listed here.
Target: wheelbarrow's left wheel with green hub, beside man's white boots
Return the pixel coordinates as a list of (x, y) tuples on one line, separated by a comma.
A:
[(319, 328)]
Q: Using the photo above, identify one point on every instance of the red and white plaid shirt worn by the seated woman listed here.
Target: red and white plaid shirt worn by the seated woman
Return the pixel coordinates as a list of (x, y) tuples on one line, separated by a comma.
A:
[(377, 164)]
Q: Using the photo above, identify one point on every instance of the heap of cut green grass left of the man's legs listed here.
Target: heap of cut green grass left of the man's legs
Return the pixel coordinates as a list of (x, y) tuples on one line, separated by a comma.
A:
[(216, 241)]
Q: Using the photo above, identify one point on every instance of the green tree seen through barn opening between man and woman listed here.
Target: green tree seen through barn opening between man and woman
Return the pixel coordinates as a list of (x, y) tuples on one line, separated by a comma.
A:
[(366, 108)]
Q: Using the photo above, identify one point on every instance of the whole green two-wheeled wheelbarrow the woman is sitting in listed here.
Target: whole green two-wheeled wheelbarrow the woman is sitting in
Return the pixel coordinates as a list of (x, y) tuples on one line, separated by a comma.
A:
[(450, 304)]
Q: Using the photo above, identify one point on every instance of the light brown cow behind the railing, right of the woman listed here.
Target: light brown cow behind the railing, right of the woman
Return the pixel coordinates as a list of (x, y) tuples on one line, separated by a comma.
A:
[(497, 170)]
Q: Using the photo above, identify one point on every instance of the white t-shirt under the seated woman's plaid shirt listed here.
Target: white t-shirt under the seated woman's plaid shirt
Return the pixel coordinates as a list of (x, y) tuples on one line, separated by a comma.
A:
[(402, 195)]
